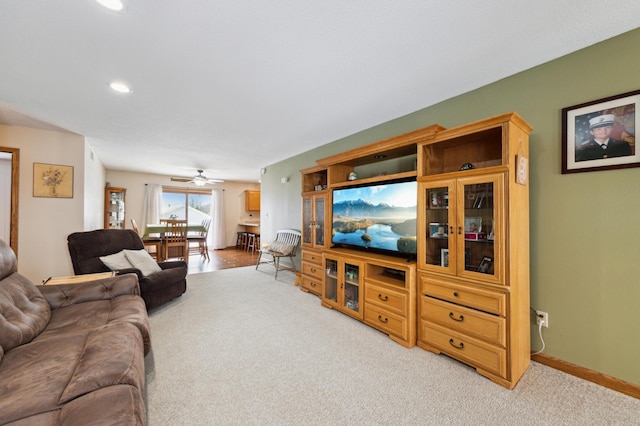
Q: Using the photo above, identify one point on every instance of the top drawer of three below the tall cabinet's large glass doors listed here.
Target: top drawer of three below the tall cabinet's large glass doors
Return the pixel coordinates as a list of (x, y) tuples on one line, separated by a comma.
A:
[(484, 300)]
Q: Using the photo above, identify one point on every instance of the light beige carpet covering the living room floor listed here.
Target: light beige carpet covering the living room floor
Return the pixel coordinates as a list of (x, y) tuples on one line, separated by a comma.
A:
[(242, 348)]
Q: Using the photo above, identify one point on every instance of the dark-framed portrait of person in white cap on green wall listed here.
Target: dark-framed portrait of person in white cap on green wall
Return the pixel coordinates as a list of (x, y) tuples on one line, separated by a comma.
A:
[(586, 125)]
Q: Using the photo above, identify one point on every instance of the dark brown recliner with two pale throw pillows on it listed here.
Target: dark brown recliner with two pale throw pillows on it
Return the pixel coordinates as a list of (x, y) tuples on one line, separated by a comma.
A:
[(156, 289)]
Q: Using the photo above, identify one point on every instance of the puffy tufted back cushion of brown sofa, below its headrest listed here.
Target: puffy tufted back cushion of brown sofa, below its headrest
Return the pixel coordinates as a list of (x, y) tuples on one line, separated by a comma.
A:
[(24, 312)]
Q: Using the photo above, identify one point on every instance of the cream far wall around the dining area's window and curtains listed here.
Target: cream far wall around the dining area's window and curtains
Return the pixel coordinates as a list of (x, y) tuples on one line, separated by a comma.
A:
[(234, 198)]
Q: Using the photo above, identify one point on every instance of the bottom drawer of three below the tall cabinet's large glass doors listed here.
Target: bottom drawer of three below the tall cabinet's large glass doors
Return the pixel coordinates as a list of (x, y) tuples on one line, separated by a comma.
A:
[(479, 354)]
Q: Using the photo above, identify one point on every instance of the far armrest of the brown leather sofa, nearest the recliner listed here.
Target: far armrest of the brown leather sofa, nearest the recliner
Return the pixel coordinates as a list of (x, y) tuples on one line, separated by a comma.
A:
[(62, 295)]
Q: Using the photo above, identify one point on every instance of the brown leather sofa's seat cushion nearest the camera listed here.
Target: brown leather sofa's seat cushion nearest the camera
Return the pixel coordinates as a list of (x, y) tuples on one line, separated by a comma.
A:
[(41, 376)]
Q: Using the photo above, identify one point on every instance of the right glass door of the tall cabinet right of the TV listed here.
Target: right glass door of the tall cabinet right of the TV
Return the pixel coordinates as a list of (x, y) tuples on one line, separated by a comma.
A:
[(478, 225)]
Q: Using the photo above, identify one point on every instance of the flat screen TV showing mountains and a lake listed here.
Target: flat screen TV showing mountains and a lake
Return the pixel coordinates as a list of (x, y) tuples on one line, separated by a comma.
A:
[(378, 217)]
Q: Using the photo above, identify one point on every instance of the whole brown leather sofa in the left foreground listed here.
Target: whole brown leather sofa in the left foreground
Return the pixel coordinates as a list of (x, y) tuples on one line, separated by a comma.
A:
[(71, 354)]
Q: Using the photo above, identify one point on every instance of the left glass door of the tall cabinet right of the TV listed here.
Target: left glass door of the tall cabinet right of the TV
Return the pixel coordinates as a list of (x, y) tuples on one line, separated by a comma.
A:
[(438, 204)]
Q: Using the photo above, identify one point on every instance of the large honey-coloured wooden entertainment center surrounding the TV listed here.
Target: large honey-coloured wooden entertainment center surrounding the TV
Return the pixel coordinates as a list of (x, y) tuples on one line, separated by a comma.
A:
[(467, 294)]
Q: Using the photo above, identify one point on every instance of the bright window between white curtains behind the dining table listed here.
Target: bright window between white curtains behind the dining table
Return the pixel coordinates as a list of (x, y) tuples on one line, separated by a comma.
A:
[(186, 204)]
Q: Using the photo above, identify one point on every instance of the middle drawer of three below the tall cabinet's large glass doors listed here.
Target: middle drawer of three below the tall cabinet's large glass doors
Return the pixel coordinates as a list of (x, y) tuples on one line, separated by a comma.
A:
[(487, 327)]
